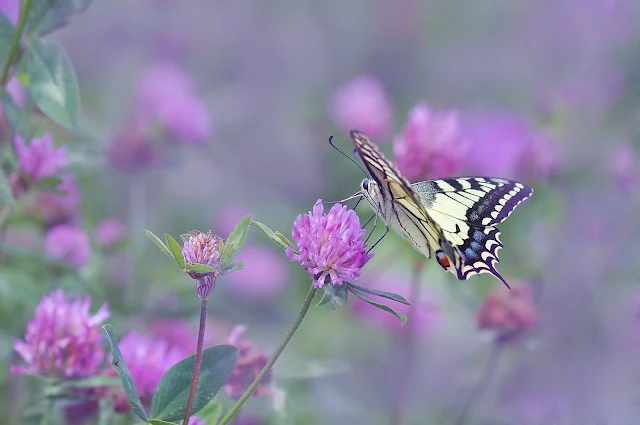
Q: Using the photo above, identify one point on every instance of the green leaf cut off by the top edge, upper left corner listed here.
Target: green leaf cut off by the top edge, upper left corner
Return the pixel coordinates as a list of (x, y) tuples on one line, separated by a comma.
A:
[(46, 16)]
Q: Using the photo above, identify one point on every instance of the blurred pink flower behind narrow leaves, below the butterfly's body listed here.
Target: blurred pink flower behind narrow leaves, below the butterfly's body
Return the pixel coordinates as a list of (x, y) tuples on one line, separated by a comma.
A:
[(425, 309)]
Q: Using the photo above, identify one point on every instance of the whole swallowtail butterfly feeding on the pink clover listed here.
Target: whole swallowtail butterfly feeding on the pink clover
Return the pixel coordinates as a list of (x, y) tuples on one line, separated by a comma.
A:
[(455, 218)]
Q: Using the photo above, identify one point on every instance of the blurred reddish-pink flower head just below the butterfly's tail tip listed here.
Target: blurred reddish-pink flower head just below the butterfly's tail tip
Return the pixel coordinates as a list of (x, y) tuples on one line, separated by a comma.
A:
[(508, 312)]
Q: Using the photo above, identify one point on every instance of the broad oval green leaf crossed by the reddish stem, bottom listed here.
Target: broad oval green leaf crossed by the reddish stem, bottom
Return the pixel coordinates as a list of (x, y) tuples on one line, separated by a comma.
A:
[(170, 398)]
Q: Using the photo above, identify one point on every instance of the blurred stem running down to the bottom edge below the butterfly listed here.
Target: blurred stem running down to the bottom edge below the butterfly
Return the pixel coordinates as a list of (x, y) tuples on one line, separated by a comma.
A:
[(408, 343)]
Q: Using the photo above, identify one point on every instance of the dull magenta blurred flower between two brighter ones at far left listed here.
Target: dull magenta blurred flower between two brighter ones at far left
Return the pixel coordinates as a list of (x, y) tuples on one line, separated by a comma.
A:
[(59, 208)]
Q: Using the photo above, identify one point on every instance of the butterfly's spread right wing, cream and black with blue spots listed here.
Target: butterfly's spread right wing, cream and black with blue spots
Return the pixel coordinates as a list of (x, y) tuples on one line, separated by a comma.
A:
[(468, 210)]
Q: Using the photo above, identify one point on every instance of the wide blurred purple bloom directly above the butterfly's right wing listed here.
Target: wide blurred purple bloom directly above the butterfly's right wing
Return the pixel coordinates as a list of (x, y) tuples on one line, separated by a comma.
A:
[(504, 144)]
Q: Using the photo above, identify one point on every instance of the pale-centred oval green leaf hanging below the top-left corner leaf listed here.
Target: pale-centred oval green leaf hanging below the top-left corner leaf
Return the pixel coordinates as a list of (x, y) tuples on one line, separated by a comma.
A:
[(52, 82)]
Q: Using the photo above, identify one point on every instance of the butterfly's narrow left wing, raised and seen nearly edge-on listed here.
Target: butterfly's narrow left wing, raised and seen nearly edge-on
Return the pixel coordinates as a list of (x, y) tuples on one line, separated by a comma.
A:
[(397, 203)]
